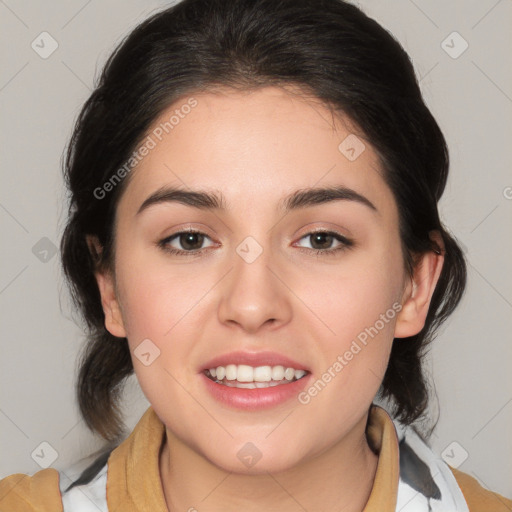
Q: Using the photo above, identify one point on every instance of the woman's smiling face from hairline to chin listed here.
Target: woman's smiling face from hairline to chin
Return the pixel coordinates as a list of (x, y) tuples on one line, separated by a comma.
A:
[(257, 279)]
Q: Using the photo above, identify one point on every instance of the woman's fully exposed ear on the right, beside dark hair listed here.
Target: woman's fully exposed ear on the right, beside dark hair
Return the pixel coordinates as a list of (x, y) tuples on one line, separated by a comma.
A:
[(419, 290)]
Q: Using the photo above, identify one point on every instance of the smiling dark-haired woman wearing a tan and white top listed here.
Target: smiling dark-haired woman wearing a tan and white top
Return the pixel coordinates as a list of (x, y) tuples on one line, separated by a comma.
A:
[(253, 230)]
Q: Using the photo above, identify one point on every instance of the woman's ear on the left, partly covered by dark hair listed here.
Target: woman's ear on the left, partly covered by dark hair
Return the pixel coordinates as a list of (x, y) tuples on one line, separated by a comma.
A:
[(106, 284)]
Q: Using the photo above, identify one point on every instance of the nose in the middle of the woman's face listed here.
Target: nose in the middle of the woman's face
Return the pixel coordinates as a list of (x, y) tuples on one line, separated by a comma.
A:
[(254, 295)]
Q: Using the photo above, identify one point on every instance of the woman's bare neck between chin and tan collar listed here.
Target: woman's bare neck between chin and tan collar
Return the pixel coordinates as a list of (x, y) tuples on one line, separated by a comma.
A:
[(340, 478)]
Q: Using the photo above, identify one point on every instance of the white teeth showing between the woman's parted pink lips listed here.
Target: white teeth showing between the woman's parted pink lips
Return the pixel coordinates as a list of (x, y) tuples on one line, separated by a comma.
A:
[(248, 377)]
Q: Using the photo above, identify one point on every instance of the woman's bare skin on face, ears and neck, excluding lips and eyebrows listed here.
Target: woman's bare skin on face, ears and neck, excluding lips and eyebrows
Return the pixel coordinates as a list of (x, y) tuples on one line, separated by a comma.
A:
[(257, 147)]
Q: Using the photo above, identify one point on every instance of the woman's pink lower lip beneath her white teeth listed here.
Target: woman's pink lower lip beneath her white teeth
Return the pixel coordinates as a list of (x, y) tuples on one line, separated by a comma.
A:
[(255, 399)]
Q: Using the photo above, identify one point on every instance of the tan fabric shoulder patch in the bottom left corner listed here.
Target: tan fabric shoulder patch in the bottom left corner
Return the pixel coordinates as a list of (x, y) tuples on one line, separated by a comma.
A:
[(23, 493)]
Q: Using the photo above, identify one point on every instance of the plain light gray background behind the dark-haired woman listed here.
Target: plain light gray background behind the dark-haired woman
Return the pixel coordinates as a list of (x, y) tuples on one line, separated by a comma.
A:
[(470, 96)]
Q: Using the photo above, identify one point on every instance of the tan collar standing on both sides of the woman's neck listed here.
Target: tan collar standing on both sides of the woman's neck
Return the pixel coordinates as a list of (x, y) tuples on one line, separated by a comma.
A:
[(133, 480)]
